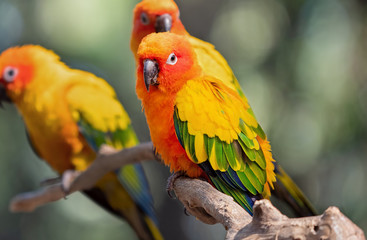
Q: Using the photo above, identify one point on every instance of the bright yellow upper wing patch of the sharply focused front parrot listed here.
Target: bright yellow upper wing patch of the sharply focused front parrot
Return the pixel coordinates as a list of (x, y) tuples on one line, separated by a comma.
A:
[(217, 109)]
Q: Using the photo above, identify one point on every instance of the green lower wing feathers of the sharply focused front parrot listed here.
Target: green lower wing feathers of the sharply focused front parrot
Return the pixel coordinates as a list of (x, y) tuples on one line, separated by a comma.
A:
[(239, 173)]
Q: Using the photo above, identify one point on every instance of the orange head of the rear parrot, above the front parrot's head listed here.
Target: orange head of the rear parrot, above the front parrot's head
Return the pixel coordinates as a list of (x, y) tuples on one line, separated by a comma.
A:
[(155, 16)]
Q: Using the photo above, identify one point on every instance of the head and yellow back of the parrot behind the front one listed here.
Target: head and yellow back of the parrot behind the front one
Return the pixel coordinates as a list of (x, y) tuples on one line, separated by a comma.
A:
[(162, 16)]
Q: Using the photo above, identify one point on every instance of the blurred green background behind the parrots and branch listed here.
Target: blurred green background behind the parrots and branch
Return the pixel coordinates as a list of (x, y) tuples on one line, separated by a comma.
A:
[(301, 63)]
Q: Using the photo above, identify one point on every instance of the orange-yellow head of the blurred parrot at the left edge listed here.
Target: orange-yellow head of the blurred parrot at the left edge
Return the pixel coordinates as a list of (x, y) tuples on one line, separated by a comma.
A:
[(18, 65)]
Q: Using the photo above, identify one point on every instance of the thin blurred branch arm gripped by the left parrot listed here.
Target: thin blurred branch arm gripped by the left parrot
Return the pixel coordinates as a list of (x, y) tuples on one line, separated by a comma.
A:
[(107, 160)]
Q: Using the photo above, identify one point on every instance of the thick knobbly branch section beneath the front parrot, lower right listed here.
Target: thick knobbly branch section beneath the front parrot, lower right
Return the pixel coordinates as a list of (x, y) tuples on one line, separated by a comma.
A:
[(211, 206)]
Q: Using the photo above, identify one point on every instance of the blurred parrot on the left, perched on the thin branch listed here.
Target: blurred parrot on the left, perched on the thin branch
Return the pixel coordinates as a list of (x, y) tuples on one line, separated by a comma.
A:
[(68, 115)]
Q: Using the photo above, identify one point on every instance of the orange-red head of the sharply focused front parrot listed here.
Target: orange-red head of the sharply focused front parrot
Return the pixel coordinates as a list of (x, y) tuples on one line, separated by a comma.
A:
[(166, 62)]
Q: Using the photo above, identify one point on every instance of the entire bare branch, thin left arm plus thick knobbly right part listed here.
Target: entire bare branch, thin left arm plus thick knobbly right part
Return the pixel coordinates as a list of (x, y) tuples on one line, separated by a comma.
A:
[(202, 201)]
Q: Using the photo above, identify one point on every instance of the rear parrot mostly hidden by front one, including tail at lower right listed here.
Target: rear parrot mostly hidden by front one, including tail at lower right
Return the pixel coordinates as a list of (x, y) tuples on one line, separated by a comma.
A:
[(162, 16)]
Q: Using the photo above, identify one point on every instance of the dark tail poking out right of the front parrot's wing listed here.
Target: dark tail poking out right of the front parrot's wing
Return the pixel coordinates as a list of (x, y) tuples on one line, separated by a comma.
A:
[(286, 190)]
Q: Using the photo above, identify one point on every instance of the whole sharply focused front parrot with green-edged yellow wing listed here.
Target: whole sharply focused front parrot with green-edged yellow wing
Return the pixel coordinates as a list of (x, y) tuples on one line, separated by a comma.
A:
[(203, 127)]
